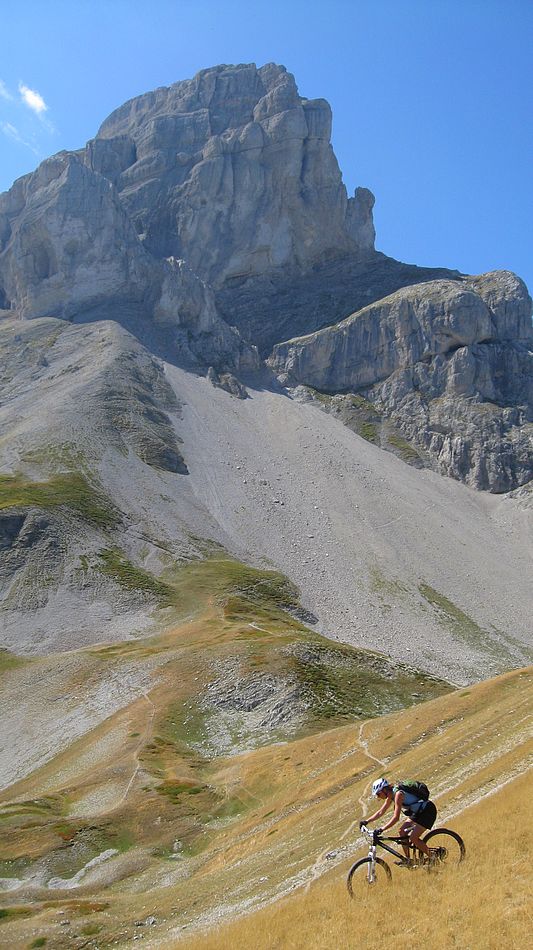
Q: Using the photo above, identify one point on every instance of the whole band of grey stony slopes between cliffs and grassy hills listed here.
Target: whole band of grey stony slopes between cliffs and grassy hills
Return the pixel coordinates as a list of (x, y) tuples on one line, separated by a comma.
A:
[(157, 463)]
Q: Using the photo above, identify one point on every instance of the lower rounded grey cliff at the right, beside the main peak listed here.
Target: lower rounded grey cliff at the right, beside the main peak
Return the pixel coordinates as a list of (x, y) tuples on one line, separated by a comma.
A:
[(449, 362)]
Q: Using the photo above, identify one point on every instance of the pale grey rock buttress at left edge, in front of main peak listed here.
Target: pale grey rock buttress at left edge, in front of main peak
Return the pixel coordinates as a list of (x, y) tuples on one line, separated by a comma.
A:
[(69, 250)]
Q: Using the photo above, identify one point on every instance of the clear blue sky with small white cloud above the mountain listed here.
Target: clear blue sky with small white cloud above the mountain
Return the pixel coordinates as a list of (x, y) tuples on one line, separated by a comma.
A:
[(432, 99)]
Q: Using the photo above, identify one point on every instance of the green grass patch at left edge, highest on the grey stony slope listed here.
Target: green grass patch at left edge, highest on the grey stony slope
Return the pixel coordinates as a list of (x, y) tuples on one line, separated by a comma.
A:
[(69, 490)]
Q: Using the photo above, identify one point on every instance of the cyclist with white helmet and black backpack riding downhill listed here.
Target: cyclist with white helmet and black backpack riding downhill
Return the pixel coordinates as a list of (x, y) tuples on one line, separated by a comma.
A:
[(421, 813)]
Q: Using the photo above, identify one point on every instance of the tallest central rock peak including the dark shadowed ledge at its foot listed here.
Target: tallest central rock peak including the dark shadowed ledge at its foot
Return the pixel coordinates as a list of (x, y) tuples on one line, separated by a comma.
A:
[(234, 172)]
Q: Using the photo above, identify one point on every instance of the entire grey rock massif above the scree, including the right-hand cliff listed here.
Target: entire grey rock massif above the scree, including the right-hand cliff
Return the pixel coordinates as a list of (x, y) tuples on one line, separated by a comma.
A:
[(210, 218)]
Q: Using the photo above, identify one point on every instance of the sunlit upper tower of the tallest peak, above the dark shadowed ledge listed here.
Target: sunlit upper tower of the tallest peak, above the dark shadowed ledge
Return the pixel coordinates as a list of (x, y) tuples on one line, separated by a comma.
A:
[(234, 172)]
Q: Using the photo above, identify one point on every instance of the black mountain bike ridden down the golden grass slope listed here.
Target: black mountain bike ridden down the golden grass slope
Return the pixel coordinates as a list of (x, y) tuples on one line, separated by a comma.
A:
[(446, 848)]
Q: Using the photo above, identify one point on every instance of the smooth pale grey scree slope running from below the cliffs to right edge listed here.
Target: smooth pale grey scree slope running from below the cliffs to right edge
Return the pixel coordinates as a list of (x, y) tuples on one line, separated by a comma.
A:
[(359, 531)]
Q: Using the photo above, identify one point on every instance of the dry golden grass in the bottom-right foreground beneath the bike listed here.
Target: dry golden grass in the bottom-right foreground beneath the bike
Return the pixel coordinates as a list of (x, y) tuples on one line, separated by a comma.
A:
[(484, 904)]
